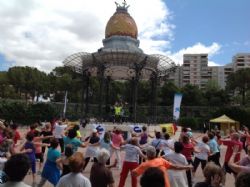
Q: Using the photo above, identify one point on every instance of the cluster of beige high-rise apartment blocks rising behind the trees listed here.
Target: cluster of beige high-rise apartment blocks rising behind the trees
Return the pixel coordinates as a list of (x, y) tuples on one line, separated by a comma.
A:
[(195, 70)]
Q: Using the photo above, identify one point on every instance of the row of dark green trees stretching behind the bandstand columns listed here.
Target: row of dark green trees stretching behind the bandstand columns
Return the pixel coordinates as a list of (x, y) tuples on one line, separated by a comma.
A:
[(27, 82)]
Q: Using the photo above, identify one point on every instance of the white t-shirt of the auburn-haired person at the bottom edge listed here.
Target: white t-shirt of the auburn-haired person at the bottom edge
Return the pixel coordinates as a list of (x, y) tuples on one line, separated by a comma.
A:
[(74, 180)]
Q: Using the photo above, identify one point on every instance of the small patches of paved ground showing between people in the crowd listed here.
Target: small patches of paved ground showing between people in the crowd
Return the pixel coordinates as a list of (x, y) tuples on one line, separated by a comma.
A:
[(116, 172)]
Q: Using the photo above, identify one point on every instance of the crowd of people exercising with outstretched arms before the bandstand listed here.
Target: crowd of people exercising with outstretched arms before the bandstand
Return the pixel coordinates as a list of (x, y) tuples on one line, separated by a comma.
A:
[(159, 159)]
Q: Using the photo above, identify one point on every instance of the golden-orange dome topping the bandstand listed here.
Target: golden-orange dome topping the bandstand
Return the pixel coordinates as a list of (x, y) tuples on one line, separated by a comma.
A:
[(121, 24)]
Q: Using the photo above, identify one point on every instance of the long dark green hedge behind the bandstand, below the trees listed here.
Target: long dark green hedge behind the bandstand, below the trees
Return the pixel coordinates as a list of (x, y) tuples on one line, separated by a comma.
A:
[(194, 117)]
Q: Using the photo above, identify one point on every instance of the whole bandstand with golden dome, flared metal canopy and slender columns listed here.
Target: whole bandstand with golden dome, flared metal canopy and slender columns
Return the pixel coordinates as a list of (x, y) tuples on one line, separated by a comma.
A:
[(120, 58)]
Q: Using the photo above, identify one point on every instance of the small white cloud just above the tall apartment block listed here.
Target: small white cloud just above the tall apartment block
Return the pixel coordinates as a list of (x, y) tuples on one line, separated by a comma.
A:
[(197, 48)]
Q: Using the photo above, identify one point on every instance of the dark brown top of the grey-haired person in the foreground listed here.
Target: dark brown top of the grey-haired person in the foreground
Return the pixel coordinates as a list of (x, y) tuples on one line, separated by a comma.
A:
[(100, 176)]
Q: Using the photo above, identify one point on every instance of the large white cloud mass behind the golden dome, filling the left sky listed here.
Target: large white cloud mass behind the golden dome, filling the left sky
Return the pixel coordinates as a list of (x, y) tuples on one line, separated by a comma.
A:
[(43, 33)]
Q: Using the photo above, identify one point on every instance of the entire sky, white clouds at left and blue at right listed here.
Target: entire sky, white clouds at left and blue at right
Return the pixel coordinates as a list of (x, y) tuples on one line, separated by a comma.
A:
[(42, 33)]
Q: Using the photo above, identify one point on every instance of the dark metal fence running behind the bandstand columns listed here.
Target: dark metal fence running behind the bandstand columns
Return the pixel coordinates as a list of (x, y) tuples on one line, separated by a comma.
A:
[(163, 113)]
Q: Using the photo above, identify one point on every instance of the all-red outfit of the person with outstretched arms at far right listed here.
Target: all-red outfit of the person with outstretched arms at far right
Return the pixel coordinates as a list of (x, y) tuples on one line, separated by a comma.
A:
[(230, 145)]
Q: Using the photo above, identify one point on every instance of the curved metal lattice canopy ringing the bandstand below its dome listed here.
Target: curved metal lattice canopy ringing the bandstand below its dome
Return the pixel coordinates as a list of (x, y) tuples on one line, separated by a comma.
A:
[(83, 61)]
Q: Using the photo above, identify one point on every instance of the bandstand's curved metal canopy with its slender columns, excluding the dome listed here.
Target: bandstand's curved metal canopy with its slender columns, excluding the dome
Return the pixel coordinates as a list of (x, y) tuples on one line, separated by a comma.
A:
[(137, 65)]
